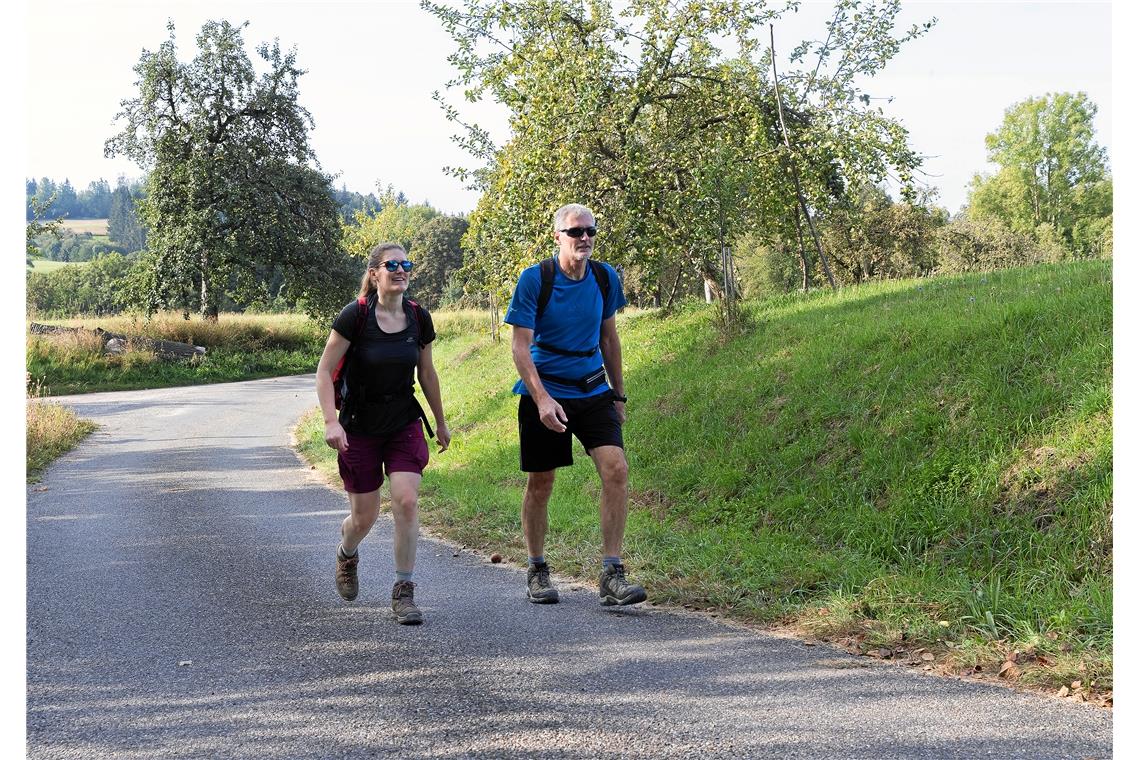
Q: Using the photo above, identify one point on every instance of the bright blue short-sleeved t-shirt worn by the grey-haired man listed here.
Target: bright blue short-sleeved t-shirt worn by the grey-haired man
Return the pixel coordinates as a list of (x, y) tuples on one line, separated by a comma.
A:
[(573, 322)]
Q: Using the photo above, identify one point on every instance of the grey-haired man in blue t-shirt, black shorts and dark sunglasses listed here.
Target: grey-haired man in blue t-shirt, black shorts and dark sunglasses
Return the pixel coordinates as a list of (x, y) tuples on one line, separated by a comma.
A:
[(565, 334)]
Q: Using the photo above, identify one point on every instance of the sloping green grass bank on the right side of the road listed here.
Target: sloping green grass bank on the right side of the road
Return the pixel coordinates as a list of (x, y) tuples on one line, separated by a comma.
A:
[(924, 461)]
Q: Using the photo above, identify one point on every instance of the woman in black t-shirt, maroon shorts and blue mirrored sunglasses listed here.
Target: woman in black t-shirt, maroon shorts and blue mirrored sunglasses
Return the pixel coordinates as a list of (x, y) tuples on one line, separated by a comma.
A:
[(384, 339)]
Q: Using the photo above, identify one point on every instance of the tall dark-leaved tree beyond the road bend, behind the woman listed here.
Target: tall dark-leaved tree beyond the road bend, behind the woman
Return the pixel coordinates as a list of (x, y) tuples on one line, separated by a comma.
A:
[(231, 197)]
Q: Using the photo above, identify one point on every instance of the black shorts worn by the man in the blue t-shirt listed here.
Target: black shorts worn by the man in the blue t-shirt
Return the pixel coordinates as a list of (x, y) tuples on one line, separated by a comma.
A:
[(595, 421)]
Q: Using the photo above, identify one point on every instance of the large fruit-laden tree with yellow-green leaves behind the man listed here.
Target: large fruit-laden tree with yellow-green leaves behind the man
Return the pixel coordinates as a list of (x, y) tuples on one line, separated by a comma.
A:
[(675, 146)]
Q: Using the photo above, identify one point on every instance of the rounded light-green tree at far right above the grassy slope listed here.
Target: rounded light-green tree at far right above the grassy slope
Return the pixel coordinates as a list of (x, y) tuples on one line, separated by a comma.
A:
[(1051, 171)]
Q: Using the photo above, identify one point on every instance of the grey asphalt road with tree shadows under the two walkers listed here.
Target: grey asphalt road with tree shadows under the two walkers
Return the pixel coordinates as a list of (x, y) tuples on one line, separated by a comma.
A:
[(181, 604)]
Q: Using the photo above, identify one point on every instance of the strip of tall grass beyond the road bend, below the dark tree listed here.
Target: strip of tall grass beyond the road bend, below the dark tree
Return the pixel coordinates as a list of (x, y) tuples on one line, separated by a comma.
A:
[(238, 348)]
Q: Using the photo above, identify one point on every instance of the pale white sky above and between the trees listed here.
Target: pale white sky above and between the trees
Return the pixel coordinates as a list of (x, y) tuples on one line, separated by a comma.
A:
[(373, 67)]
